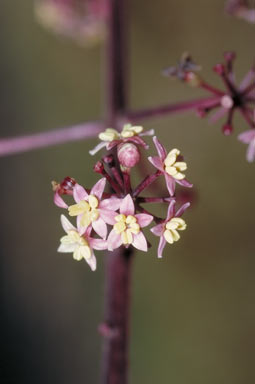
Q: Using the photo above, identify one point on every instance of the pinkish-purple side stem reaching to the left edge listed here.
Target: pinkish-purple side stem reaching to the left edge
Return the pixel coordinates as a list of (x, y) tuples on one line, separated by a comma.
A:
[(13, 145)]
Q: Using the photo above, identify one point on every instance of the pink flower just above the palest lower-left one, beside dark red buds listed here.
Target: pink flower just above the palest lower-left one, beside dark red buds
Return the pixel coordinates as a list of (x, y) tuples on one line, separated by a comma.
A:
[(91, 210)]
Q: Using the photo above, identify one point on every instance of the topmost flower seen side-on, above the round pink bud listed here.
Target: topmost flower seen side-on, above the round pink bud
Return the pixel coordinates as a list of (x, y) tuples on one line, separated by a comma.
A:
[(110, 138)]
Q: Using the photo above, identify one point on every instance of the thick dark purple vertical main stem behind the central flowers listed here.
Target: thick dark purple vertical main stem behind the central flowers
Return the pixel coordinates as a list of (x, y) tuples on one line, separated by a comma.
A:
[(118, 263)]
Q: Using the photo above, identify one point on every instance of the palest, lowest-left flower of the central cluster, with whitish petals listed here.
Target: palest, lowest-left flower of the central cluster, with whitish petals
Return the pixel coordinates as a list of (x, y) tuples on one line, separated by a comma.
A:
[(80, 244)]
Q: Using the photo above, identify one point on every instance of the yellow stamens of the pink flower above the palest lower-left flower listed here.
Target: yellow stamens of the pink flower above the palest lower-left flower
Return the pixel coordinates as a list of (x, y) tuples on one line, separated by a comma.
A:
[(88, 210)]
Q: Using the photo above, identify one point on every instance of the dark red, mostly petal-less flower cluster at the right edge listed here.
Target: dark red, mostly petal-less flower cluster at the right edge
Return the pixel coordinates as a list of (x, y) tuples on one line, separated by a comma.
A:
[(225, 102)]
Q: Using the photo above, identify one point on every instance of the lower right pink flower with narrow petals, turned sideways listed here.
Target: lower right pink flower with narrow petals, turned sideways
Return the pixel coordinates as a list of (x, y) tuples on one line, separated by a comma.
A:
[(168, 229)]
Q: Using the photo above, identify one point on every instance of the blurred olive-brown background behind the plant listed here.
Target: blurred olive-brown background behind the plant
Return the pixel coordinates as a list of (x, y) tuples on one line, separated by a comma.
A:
[(193, 312)]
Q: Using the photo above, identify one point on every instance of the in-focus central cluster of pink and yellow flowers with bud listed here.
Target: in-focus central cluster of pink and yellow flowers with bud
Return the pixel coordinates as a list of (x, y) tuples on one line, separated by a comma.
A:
[(109, 220)]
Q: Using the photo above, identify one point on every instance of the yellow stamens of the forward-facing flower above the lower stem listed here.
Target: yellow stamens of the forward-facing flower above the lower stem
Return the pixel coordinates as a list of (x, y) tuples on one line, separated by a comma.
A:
[(126, 226)]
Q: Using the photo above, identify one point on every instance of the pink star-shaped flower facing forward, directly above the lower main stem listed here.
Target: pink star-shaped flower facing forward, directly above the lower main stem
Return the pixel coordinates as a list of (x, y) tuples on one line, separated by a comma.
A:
[(127, 227)]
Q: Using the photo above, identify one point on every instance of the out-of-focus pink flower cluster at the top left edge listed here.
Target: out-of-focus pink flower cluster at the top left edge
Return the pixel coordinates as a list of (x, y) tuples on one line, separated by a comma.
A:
[(81, 20)]
